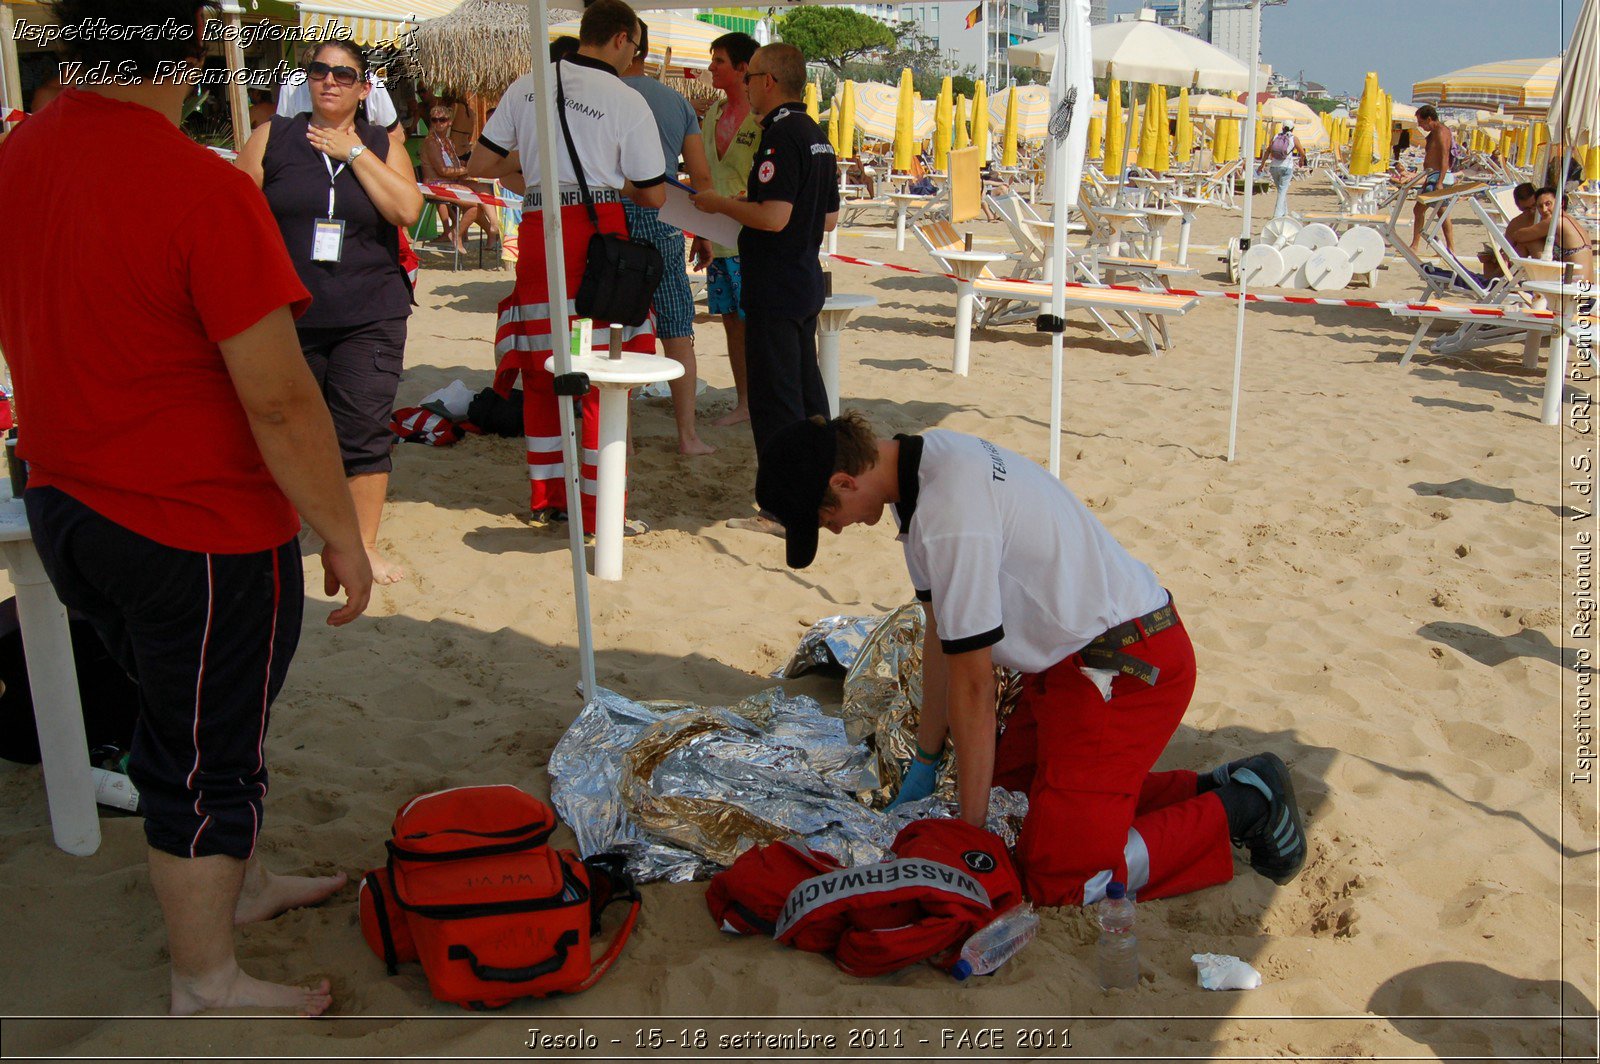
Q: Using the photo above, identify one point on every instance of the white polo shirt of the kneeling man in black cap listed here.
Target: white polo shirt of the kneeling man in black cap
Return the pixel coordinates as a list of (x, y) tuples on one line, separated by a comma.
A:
[(1009, 558)]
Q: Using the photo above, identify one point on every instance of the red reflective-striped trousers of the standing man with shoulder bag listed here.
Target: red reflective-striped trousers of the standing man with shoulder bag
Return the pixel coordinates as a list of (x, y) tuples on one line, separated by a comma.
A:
[(522, 343)]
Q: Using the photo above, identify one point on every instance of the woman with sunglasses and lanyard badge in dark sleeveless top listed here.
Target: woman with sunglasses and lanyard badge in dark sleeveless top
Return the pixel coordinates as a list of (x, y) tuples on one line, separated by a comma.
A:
[(342, 194)]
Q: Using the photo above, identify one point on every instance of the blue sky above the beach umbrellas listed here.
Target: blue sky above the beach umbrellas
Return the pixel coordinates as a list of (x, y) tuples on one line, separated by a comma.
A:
[(1337, 42)]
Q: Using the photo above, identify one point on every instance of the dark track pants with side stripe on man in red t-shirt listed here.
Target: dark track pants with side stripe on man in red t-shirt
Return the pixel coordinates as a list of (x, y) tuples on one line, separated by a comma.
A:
[(209, 639)]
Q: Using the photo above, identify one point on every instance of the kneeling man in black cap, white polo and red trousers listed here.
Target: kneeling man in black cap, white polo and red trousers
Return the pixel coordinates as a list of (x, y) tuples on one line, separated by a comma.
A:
[(1015, 570)]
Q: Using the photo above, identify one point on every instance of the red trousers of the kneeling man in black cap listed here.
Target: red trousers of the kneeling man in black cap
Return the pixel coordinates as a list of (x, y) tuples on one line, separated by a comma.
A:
[(1095, 810)]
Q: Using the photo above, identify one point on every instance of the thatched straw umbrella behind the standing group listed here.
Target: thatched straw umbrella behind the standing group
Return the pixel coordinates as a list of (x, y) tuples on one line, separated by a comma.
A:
[(478, 50)]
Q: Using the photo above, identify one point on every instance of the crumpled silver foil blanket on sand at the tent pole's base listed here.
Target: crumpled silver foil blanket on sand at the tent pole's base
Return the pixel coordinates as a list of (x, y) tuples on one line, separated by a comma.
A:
[(684, 790)]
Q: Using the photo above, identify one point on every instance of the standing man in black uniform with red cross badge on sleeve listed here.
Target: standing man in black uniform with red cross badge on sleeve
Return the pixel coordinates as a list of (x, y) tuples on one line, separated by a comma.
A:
[(791, 201)]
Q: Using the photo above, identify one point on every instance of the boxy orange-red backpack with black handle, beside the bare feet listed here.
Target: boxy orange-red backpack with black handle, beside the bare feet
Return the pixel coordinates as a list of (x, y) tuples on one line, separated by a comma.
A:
[(494, 913)]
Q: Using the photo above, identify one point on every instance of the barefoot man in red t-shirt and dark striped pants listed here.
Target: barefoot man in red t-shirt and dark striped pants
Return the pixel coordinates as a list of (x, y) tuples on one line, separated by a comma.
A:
[(172, 431)]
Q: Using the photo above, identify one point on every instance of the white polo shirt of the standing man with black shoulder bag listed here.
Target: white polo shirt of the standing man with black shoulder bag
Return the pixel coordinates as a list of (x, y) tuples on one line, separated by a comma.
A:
[(614, 129)]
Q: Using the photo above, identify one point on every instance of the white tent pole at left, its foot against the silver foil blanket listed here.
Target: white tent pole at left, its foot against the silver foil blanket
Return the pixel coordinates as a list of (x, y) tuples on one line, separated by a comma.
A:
[(556, 270)]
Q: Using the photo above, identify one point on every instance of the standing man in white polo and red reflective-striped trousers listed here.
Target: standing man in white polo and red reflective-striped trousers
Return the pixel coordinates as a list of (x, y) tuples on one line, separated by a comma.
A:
[(615, 137)]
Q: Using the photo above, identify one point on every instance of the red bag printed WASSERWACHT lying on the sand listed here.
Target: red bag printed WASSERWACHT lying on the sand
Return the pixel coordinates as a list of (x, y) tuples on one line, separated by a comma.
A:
[(948, 879)]
